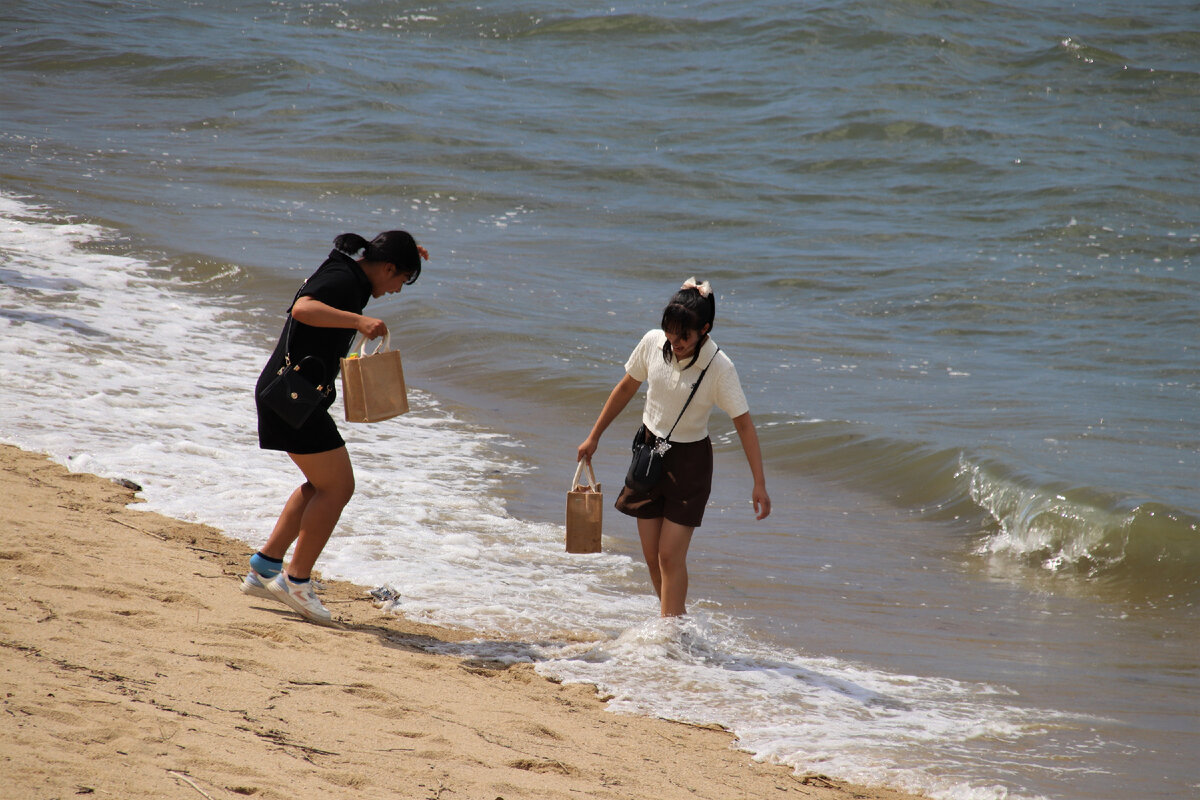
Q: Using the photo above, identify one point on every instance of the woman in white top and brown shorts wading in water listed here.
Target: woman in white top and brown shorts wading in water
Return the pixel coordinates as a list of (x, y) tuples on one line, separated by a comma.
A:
[(673, 359)]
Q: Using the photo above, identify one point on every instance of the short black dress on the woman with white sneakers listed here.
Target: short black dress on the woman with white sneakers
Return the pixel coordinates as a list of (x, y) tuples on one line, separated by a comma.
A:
[(341, 284)]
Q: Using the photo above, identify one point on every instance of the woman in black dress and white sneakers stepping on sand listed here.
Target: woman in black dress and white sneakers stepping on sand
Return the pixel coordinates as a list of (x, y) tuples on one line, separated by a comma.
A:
[(323, 322)]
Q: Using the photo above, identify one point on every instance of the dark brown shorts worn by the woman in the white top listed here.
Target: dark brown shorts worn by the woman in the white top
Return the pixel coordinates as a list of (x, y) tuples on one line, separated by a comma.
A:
[(683, 492)]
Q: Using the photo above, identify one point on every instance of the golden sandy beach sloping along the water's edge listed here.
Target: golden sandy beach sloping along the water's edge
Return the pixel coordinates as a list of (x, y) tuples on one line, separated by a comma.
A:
[(134, 667)]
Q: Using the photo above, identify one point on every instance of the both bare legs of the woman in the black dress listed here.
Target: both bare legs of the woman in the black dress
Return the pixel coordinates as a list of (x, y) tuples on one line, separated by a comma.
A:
[(313, 512)]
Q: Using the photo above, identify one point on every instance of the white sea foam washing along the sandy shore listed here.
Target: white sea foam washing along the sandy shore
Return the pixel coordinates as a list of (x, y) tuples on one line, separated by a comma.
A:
[(112, 368)]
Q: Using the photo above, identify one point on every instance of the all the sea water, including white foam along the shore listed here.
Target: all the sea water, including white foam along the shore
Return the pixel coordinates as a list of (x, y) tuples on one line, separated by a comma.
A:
[(953, 248)]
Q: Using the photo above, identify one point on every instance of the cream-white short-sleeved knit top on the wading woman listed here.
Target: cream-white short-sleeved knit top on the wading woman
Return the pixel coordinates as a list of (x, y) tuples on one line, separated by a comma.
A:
[(668, 388)]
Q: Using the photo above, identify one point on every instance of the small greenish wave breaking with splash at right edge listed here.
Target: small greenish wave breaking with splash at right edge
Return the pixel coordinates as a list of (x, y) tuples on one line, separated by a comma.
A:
[(1137, 544)]
